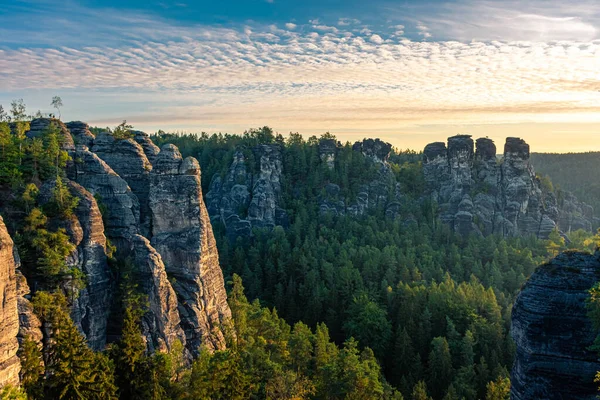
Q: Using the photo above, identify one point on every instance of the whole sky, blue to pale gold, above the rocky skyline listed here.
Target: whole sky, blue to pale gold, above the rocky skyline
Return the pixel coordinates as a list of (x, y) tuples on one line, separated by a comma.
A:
[(408, 72)]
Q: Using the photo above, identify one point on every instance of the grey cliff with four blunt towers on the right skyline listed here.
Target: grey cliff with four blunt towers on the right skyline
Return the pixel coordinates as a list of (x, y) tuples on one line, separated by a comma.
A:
[(478, 193)]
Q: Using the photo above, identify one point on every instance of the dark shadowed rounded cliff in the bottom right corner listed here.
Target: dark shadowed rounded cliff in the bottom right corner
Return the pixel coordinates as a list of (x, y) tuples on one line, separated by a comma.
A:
[(552, 332)]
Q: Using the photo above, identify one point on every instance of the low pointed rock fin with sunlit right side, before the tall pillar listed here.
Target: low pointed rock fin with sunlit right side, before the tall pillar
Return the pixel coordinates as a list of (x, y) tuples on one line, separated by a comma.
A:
[(160, 324)]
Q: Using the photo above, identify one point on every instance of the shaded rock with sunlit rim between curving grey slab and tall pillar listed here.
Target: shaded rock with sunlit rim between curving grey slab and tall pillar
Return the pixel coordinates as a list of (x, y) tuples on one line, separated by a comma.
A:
[(127, 158)]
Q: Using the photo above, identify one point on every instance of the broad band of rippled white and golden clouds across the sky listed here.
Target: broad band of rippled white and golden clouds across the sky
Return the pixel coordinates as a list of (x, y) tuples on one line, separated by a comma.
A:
[(315, 75)]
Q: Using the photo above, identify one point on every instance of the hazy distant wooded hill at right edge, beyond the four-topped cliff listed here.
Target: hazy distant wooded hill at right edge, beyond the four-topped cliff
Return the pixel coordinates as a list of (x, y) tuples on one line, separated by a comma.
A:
[(574, 172)]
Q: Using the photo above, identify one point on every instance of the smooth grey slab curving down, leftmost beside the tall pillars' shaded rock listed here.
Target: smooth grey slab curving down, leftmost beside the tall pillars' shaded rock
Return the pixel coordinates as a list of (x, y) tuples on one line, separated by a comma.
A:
[(121, 204)]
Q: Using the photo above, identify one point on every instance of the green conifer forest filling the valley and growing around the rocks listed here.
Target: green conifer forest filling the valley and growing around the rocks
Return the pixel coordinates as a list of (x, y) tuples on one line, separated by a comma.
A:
[(327, 307)]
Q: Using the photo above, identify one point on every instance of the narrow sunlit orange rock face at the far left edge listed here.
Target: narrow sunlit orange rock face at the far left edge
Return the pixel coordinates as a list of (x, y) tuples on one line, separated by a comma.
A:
[(9, 316)]
